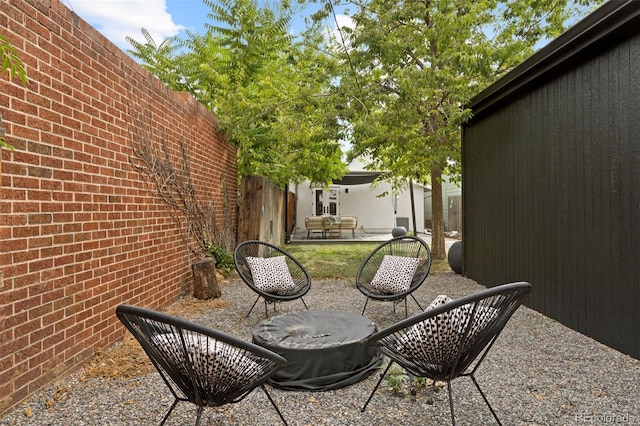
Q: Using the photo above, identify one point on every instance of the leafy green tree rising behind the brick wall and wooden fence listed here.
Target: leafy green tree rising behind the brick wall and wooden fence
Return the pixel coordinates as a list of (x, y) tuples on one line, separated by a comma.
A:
[(272, 95)]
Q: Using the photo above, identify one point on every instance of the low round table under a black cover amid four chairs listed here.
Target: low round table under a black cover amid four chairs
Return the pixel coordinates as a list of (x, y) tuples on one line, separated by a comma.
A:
[(323, 349)]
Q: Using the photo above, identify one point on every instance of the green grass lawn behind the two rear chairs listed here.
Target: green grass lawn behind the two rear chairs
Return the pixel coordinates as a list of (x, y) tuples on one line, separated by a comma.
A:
[(340, 260)]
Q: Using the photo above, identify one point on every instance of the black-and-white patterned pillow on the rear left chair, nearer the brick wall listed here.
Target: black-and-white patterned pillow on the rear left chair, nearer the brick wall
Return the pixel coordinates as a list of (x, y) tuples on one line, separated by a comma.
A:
[(271, 275)]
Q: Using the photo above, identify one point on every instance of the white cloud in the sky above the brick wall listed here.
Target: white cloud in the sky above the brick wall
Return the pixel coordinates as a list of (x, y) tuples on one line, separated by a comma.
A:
[(117, 19)]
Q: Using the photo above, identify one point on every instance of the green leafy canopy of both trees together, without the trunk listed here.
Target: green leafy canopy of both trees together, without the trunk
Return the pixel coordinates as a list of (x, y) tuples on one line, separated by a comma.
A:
[(394, 85)]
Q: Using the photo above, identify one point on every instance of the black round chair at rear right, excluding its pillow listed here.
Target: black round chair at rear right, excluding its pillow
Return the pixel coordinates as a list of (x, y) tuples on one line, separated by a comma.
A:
[(405, 247)]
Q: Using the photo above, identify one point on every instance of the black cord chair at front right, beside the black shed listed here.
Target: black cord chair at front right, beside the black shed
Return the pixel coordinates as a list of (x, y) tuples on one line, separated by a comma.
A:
[(451, 340)]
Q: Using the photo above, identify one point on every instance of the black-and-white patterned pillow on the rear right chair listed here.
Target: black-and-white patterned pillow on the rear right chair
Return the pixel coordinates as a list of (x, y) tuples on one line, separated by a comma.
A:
[(395, 273)]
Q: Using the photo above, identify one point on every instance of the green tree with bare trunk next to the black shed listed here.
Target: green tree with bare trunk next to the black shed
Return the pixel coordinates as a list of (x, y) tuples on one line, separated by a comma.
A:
[(414, 66)]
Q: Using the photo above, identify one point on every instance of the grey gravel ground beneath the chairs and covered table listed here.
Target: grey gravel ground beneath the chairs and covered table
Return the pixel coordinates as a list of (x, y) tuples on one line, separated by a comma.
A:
[(538, 373)]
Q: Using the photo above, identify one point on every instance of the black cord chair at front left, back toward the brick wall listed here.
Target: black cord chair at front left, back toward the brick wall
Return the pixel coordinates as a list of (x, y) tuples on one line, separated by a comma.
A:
[(200, 365)]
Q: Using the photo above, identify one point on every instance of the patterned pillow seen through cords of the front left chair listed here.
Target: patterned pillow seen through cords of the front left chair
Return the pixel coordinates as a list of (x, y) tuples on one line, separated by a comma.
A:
[(219, 362)]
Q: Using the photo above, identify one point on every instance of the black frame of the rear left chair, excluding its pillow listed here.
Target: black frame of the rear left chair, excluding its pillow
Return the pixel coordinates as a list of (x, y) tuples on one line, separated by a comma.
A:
[(255, 248)]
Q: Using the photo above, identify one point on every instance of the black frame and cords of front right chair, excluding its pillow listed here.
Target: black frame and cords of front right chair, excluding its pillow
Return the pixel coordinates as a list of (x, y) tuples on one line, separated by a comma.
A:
[(464, 358)]
